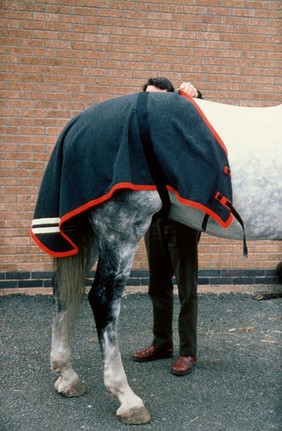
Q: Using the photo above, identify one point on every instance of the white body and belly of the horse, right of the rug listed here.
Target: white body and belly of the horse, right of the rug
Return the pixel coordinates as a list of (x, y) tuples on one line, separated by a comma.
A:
[(253, 137)]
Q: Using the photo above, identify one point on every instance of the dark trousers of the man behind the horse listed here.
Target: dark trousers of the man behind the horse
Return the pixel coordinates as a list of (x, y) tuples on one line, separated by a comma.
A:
[(172, 249)]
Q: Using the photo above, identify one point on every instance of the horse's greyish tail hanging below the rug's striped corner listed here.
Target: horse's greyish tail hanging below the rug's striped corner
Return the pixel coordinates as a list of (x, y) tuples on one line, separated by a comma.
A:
[(70, 272)]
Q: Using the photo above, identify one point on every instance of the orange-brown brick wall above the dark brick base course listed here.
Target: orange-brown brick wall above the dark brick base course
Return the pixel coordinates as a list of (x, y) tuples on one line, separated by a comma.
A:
[(59, 57)]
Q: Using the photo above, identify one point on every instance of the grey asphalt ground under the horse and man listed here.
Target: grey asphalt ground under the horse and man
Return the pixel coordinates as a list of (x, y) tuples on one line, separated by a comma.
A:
[(236, 385)]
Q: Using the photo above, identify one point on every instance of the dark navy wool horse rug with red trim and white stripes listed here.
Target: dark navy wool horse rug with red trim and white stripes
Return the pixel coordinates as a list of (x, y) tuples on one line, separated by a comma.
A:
[(101, 152)]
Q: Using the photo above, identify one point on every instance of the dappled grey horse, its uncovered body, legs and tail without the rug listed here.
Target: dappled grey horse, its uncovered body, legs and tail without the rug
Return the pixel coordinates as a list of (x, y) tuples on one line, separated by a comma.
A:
[(254, 140)]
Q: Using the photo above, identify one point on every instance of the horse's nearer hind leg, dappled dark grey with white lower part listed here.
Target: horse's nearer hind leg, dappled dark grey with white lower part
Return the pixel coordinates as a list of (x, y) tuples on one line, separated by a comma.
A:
[(117, 244)]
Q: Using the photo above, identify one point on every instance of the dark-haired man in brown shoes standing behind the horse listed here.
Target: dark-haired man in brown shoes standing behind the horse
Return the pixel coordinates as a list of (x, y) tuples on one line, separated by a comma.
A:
[(172, 249)]
